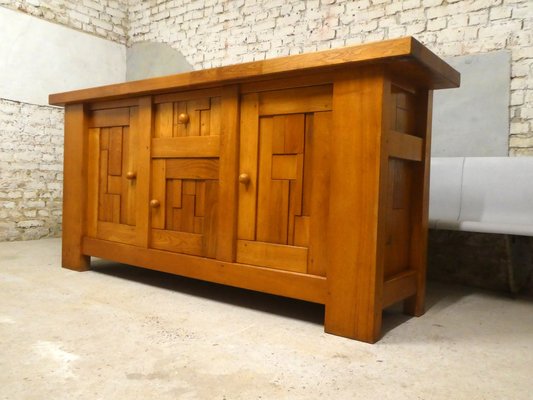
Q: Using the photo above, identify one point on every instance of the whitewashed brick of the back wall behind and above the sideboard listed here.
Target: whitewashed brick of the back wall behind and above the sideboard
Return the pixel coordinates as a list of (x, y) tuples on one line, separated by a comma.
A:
[(220, 32)]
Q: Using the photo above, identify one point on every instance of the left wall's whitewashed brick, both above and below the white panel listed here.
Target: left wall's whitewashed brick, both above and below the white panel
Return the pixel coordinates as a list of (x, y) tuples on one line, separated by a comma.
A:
[(31, 136)]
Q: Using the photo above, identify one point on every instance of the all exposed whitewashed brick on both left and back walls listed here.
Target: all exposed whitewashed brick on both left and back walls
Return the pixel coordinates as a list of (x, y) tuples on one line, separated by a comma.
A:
[(212, 33)]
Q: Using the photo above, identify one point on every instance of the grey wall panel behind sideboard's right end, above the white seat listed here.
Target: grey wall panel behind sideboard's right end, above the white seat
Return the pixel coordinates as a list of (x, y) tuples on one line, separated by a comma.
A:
[(473, 120)]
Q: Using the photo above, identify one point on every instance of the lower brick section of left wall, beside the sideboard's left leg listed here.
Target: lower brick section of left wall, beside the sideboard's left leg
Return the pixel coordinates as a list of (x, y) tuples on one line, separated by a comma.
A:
[(31, 172)]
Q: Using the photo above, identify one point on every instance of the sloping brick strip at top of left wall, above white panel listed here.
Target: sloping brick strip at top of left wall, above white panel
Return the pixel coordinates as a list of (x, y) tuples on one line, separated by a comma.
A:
[(104, 18)]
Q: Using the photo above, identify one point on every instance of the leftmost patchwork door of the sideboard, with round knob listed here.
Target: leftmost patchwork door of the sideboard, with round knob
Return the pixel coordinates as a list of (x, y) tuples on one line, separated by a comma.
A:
[(112, 173)]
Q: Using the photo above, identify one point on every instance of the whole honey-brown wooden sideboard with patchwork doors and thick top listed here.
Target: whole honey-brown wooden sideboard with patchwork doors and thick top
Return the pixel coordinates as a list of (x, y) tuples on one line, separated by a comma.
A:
[(303, 176)]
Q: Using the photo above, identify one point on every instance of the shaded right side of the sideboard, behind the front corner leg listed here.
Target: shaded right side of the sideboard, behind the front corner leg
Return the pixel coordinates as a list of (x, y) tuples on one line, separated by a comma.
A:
[(406, 199)]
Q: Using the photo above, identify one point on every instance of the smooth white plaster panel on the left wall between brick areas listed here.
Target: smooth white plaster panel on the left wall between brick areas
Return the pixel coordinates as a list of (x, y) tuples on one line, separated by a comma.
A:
[(38, 58)]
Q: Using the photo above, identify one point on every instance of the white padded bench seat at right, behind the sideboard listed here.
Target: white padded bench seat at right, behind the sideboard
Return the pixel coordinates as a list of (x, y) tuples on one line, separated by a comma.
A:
[(482, 194)]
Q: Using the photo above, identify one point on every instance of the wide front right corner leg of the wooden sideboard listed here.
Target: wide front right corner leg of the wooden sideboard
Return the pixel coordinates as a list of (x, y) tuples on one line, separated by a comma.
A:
[(355, 229)]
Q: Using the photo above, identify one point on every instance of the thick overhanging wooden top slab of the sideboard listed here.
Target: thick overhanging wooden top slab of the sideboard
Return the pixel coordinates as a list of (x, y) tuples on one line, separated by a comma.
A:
[(405, 56)]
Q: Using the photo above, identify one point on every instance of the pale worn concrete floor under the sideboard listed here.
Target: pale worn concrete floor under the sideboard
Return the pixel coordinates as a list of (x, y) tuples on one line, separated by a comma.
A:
[(124, 333)]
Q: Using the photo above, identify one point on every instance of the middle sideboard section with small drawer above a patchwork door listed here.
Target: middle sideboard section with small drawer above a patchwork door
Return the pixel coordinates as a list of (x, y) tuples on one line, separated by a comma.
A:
[(185, 172)]
